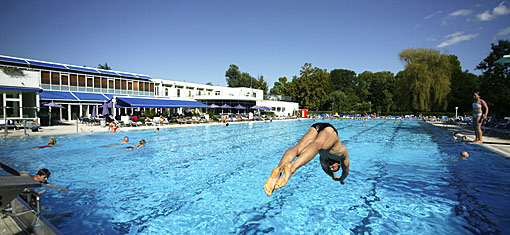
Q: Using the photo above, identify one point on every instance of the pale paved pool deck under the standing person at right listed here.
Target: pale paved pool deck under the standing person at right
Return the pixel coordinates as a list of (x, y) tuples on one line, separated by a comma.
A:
[(491, 141)]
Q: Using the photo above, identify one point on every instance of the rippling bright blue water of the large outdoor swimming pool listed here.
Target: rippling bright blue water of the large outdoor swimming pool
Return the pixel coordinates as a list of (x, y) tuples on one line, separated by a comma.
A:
[(209, 180)]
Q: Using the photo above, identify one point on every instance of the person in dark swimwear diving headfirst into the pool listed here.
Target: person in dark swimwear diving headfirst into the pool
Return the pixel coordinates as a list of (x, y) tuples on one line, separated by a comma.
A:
[(322, 138)]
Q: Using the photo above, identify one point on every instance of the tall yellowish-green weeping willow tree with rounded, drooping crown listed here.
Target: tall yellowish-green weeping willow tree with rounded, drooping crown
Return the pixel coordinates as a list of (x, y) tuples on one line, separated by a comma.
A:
[(427, 77)]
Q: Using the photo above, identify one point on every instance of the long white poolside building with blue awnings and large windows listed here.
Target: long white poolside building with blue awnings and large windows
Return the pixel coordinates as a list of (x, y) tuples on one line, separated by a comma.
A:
[(26, 84)]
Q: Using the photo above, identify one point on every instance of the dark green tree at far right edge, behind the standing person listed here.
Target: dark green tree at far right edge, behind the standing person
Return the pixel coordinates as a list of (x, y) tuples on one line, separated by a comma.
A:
[(495, 80)]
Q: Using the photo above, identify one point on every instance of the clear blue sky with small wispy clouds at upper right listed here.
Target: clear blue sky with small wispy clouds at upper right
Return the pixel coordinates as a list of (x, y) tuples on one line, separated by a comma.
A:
[(196, 41)]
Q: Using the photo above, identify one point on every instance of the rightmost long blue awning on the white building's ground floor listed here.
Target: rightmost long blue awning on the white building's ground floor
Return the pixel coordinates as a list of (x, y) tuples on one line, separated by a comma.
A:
[(158, 103)]
